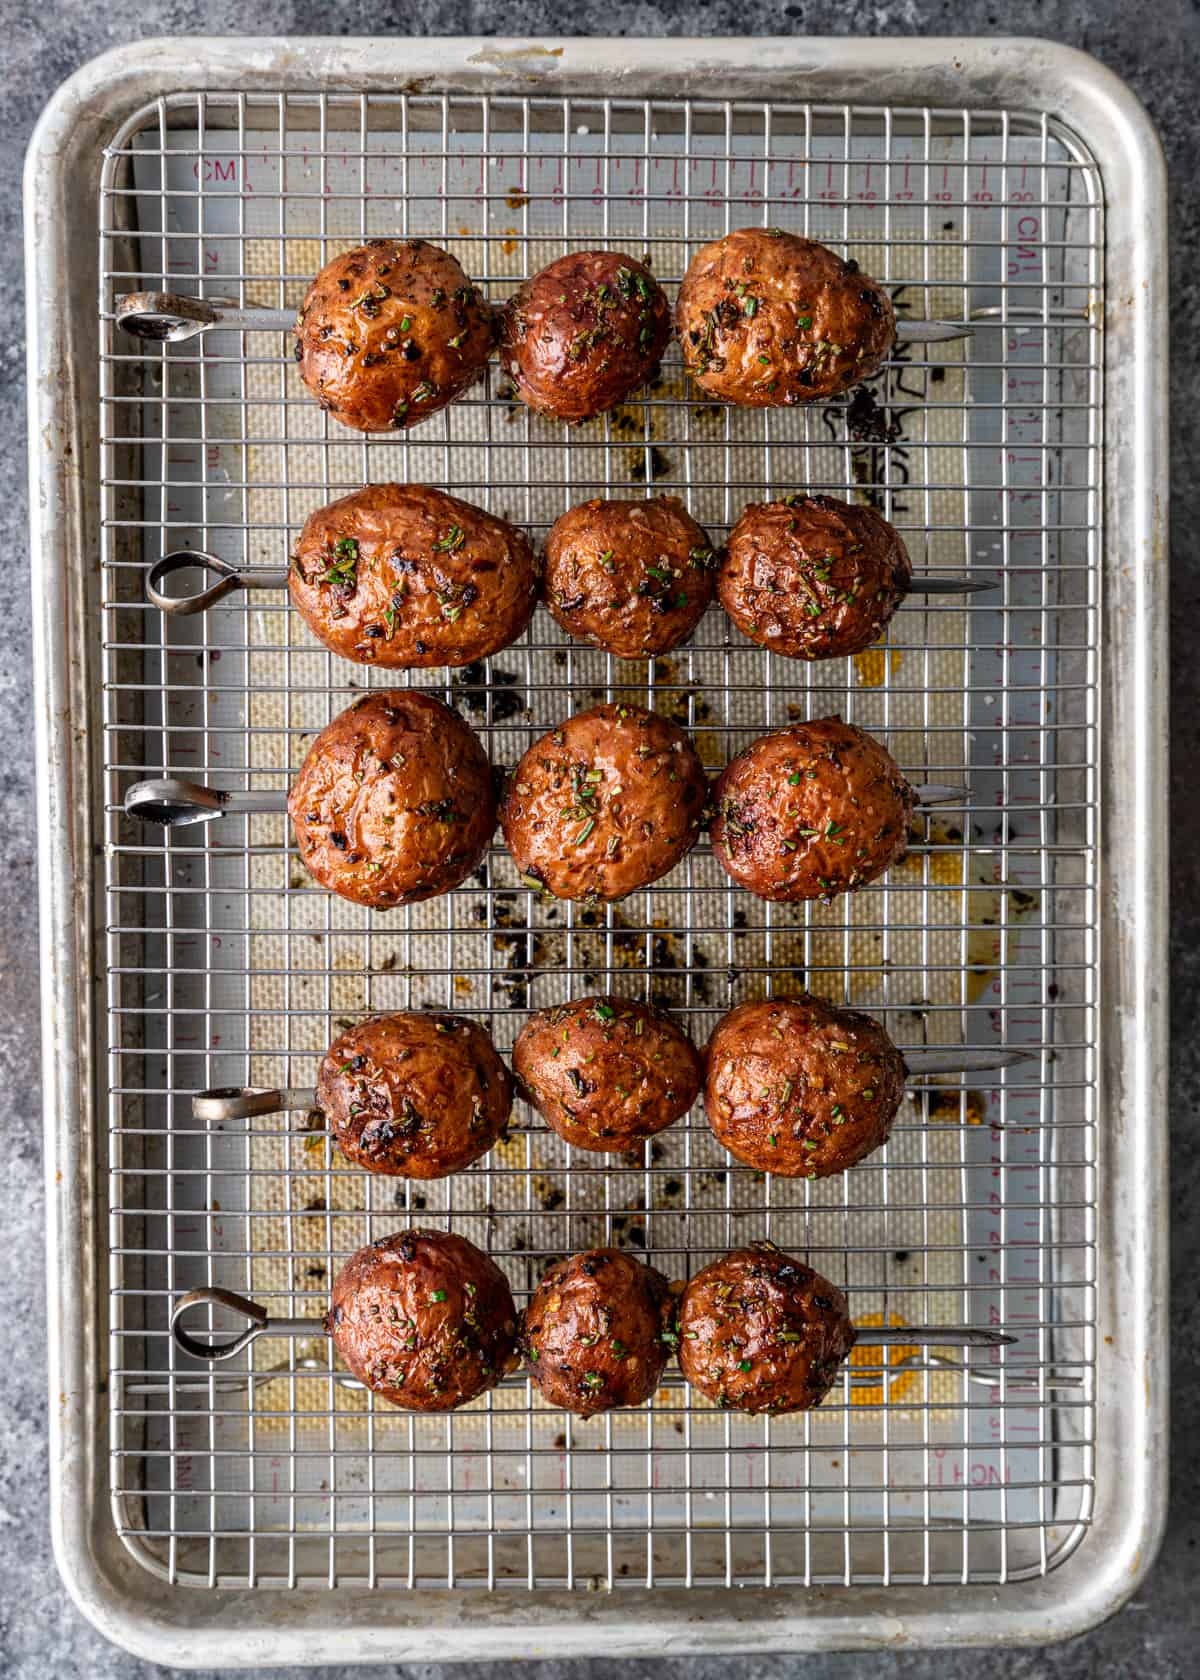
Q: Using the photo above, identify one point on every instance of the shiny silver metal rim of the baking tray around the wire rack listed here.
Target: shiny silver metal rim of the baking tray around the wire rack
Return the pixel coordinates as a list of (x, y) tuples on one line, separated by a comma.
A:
[(241, 1629)]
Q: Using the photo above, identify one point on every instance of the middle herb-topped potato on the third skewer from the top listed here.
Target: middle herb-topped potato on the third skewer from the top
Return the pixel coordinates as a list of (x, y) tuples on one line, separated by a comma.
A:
[(606, 804)]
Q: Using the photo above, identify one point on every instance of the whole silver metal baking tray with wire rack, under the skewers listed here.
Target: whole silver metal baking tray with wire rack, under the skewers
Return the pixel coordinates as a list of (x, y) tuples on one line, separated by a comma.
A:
[(208, 1521)]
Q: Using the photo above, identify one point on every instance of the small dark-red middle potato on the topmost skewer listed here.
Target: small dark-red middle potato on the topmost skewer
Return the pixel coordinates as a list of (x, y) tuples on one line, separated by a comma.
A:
[(584, 333)]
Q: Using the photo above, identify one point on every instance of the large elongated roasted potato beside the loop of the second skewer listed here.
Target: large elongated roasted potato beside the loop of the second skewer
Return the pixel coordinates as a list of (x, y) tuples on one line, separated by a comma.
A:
[(406, 577)]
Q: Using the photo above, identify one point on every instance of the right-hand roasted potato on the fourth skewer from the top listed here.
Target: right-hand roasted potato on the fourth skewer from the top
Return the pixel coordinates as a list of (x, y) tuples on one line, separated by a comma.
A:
[(799, 1088)]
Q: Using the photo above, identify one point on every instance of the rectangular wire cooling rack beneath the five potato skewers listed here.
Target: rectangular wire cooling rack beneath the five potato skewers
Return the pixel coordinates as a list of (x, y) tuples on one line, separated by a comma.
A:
[(228, 967)]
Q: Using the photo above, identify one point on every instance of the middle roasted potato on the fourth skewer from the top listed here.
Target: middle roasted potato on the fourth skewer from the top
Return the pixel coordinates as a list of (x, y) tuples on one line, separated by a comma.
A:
[(608, 1073)]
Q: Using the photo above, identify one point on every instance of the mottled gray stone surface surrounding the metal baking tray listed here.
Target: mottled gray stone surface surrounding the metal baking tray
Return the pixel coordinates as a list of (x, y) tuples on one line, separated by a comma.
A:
[(1157, 48)]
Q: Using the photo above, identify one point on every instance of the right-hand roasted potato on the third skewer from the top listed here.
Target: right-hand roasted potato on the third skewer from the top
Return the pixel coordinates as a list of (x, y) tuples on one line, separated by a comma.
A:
[(809, 812)]
